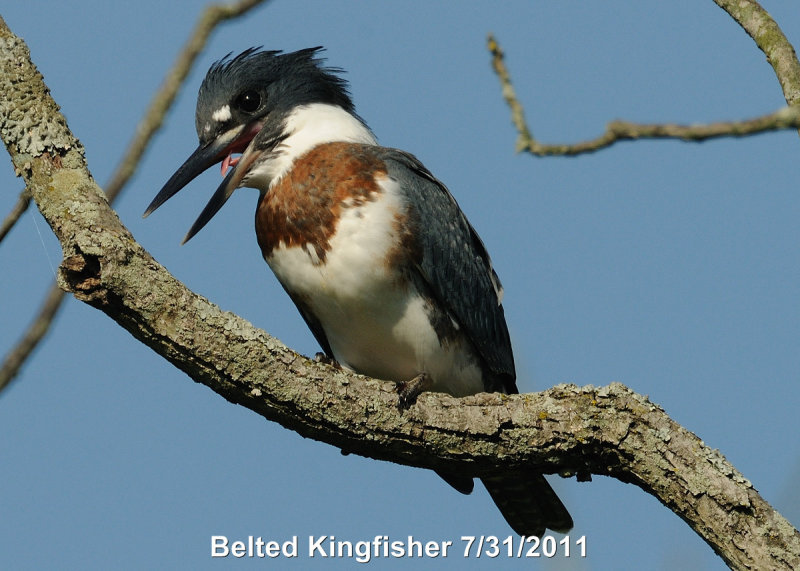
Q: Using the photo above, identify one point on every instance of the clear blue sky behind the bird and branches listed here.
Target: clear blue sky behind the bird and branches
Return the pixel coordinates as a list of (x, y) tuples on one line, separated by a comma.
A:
[(669, 267)]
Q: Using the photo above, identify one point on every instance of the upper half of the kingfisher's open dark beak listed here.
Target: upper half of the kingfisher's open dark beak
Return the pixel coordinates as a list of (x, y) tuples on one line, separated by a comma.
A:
[(205, 156)]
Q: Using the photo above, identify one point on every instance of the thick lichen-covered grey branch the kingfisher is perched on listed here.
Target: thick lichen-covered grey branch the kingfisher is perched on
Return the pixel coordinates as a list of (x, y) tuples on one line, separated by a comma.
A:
[(567, 429)]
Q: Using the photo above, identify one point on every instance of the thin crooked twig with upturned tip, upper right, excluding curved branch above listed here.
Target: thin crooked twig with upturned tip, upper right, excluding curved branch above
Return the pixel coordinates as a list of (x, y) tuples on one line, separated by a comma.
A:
[(785, 118)]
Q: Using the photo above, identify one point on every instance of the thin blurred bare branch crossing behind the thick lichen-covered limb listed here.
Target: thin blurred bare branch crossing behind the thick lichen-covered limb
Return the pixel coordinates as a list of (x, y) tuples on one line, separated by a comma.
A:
[(212, 16)]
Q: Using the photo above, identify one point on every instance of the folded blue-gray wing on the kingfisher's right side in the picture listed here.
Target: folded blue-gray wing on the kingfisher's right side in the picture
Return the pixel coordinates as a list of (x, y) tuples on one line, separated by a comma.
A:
[(455, 265)]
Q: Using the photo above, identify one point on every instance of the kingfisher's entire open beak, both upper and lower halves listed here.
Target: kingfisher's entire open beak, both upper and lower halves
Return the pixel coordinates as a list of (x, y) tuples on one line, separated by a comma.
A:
[(205, 156)]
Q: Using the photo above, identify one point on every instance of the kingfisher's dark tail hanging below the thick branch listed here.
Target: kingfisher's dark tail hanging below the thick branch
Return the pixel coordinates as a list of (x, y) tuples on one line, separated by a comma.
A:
[(528, 503)]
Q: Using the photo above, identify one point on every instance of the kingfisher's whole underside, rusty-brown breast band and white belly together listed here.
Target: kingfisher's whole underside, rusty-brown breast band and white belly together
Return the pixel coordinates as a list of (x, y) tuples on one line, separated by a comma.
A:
[(340, 239)]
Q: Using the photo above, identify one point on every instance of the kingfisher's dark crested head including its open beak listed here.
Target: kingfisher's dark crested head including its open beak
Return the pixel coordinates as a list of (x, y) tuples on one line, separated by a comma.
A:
[(244, 106)]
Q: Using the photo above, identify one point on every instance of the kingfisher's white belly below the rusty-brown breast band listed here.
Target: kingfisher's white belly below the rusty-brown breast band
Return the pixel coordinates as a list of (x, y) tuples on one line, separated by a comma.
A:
[(376, 323)]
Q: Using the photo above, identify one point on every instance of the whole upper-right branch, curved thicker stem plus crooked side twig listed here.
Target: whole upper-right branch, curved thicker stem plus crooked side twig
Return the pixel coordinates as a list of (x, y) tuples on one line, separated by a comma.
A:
[(754, 20)]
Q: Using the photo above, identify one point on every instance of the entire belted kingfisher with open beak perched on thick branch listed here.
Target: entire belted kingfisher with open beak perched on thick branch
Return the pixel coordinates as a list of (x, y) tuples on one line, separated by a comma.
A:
[(374, 251)]
